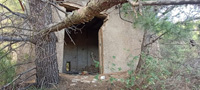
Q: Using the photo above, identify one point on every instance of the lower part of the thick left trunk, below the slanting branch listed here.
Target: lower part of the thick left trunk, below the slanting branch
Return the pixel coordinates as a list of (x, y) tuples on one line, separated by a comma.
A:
[(46, 61)]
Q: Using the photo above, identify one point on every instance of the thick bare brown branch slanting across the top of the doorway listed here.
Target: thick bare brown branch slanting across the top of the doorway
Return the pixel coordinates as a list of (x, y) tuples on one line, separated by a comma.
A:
[(83, 15)]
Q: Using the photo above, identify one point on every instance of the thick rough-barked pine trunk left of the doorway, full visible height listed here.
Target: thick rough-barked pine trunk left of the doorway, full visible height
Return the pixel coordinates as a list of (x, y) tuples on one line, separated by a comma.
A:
[(46, 59)]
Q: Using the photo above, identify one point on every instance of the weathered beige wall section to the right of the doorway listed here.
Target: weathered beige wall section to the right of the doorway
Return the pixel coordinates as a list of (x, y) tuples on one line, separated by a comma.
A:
[(120, 43)]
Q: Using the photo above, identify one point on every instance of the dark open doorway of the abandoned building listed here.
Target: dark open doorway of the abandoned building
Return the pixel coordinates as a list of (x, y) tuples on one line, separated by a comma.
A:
[(81, 48)]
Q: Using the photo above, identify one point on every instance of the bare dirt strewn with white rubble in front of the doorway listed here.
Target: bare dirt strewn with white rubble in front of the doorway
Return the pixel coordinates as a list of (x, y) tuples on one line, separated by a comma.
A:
[(89, 82)]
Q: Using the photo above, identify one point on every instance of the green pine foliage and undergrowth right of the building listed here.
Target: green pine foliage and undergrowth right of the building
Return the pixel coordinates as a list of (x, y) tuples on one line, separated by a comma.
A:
[(171, 70)]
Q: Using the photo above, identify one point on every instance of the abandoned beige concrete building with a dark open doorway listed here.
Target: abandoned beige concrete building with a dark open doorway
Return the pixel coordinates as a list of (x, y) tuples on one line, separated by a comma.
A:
[(107, 41)]
